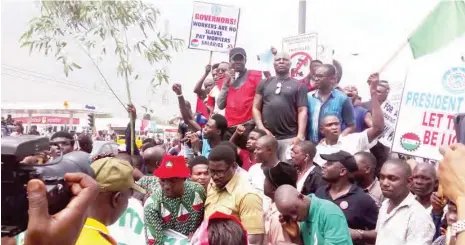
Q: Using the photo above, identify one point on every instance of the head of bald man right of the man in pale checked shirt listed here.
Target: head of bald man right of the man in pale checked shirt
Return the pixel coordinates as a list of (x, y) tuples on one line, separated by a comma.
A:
[(424, 182)]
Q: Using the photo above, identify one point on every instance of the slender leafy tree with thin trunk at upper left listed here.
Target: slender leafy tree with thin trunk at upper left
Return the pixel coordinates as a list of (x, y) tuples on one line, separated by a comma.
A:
[(98, 26)]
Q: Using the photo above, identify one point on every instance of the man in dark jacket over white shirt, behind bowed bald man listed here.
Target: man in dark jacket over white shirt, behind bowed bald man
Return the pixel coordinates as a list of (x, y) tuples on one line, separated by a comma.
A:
[(309, 174)]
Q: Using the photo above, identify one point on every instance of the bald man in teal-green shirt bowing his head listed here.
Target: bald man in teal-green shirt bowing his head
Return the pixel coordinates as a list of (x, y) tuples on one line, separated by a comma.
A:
[(321, 221)]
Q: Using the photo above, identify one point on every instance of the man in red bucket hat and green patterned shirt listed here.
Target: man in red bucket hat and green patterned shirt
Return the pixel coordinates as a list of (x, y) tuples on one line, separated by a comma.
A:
[(178, 204)]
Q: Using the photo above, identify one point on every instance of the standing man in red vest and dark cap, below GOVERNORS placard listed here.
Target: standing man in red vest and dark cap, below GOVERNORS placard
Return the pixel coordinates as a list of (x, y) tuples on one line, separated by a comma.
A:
[(237, 95)]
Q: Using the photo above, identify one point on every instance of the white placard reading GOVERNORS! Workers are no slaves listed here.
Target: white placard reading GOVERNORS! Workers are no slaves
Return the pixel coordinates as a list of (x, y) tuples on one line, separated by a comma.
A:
[(214, 27)]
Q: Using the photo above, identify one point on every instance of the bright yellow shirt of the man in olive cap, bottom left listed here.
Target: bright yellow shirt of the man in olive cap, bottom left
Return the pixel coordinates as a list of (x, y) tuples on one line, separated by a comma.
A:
[(95, 233)]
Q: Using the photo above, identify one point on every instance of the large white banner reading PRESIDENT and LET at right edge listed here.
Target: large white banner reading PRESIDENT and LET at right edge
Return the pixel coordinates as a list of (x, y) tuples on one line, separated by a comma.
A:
[(434, 92)]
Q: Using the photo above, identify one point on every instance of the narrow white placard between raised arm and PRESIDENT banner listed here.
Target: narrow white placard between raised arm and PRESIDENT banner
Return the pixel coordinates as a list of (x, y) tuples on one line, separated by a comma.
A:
[(390, 114)]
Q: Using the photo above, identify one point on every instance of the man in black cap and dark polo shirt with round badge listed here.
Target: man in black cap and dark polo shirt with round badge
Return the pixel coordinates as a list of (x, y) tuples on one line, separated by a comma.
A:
[(358, 207)]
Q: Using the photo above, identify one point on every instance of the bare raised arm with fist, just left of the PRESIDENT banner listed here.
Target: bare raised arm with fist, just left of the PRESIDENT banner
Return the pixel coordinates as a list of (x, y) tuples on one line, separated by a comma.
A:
[(377, 117)]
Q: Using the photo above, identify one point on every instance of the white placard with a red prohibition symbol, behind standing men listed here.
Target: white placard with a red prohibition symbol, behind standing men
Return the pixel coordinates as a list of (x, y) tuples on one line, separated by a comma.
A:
[(303, 50)]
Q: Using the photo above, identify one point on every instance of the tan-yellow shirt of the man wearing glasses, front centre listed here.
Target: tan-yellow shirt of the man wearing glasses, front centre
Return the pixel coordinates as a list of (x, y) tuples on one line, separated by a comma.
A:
[(237, 198)]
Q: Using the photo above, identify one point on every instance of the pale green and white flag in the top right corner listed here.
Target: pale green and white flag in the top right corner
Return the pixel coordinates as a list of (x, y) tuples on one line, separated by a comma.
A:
[(445, 23)]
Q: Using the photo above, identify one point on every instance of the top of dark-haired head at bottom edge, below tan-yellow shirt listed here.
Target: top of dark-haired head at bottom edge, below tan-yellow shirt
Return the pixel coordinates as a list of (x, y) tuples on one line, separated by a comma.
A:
[(225, 232)]
